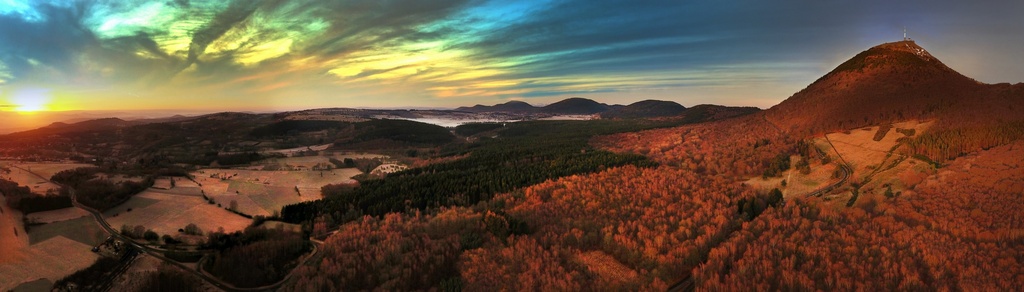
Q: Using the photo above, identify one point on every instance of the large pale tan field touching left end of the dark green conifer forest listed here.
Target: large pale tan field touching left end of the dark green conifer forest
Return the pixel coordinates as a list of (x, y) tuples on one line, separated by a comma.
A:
[(263, 193)]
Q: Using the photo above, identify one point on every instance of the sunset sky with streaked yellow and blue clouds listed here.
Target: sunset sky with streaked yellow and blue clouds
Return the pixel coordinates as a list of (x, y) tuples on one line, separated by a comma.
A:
[(280, 56)]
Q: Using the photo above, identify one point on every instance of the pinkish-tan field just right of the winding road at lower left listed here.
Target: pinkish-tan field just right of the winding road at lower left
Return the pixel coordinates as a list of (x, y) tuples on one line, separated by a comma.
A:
[(165, 214)]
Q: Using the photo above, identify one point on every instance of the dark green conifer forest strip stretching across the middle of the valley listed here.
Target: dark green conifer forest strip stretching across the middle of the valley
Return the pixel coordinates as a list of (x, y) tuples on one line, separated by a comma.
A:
[(525, 154)]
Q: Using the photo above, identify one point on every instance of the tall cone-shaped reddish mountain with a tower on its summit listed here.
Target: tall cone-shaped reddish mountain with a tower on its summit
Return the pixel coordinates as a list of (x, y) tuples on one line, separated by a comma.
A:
[(894, 82)]
